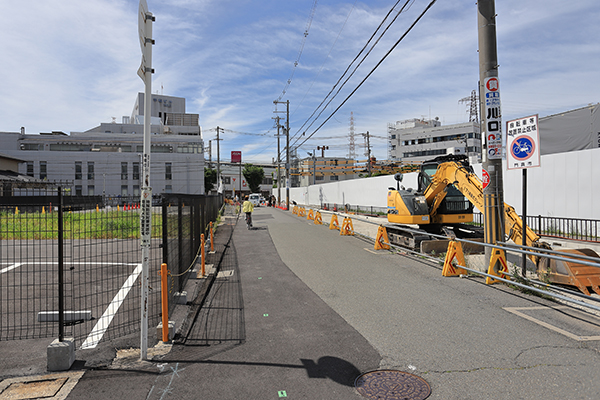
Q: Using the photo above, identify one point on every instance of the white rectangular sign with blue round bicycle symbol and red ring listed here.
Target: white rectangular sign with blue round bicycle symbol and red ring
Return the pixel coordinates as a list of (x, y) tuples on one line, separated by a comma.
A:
[(523, 143)]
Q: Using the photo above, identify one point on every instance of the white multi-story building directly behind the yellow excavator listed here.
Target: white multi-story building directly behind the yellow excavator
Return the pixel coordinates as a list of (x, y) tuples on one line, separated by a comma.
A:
[(420, 139)]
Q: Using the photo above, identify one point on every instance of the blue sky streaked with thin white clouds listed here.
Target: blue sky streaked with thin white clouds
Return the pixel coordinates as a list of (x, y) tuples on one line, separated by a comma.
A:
[(69, 65)]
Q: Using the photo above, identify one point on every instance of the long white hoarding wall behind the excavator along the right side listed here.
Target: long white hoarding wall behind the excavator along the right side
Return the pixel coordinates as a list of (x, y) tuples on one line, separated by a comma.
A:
[(566, 185)]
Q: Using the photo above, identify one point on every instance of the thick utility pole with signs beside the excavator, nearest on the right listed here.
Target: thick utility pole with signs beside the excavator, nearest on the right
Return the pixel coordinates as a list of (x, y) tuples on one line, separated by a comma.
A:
[(491, 118)]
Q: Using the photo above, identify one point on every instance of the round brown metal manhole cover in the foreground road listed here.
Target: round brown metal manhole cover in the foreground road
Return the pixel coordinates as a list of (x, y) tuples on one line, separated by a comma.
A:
[(392, 385)]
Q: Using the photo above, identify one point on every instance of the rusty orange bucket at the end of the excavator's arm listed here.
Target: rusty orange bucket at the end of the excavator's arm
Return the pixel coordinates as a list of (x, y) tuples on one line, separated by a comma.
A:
[(572, 272)]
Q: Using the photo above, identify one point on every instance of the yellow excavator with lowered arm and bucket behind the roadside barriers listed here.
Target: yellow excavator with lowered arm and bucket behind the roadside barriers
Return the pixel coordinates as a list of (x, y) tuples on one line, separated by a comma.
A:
[(447, 191)]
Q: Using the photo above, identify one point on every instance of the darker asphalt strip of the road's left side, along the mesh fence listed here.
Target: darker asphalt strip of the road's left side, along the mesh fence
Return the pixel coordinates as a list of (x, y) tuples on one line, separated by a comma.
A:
[(261, 333)]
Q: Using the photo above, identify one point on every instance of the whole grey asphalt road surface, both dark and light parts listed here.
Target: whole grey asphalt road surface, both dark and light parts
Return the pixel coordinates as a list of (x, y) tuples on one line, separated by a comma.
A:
[(299, 311)]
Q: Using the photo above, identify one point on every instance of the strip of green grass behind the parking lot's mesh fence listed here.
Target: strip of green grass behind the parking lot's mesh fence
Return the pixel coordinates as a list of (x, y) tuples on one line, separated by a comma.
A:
[(77, 225)]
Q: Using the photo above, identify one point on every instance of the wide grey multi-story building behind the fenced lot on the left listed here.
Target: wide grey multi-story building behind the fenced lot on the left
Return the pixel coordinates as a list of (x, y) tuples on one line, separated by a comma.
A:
[(107, 159)]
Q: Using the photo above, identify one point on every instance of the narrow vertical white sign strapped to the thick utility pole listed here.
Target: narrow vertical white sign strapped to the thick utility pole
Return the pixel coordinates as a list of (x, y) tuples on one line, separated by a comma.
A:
[(493, 118)]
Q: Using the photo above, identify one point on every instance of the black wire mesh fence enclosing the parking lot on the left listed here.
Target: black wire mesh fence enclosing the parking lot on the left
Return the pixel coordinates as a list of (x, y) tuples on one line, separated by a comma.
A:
[(100, 257)]
